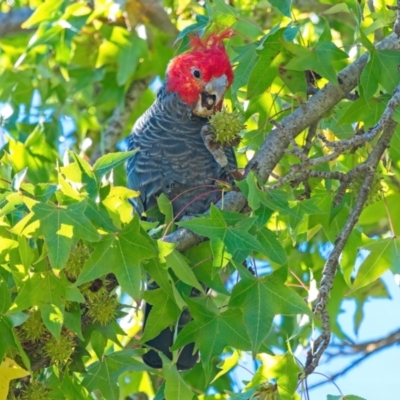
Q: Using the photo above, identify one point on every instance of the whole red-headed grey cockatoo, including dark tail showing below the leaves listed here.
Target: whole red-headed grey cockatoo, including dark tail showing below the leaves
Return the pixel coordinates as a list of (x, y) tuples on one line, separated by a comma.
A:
[(173, 159)]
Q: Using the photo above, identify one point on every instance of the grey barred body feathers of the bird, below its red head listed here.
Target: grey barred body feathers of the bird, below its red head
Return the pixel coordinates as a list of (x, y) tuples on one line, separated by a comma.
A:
[(172, 158)]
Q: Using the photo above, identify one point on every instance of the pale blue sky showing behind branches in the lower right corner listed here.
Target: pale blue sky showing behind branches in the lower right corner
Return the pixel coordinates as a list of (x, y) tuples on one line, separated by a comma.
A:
[(377, 378)]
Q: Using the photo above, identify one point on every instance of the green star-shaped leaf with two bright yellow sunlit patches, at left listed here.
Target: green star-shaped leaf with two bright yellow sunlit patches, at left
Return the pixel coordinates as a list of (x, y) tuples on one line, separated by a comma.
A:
[(58, 225)]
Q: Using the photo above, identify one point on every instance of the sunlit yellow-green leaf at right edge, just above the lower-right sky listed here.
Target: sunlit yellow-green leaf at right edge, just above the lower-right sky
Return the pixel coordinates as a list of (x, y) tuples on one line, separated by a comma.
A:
[(384, 254)]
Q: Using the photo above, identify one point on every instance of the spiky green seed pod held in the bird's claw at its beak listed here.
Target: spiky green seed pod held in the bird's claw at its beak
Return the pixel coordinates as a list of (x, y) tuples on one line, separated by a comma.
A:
[(227, 126)]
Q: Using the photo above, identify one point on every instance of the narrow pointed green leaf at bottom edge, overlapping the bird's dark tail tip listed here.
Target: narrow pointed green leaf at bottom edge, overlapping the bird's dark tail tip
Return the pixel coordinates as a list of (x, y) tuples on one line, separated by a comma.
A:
[(175, 387)]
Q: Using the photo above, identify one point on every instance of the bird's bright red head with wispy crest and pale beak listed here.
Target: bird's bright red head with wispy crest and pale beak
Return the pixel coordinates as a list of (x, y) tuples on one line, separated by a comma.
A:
[(201, 76)]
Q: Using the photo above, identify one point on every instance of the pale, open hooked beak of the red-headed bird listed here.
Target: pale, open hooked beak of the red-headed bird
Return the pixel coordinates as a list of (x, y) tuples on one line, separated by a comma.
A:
[(211, 97)]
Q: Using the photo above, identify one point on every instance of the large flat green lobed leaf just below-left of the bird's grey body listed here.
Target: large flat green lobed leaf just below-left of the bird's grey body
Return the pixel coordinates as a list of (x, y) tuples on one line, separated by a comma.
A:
[(121, 254)]
